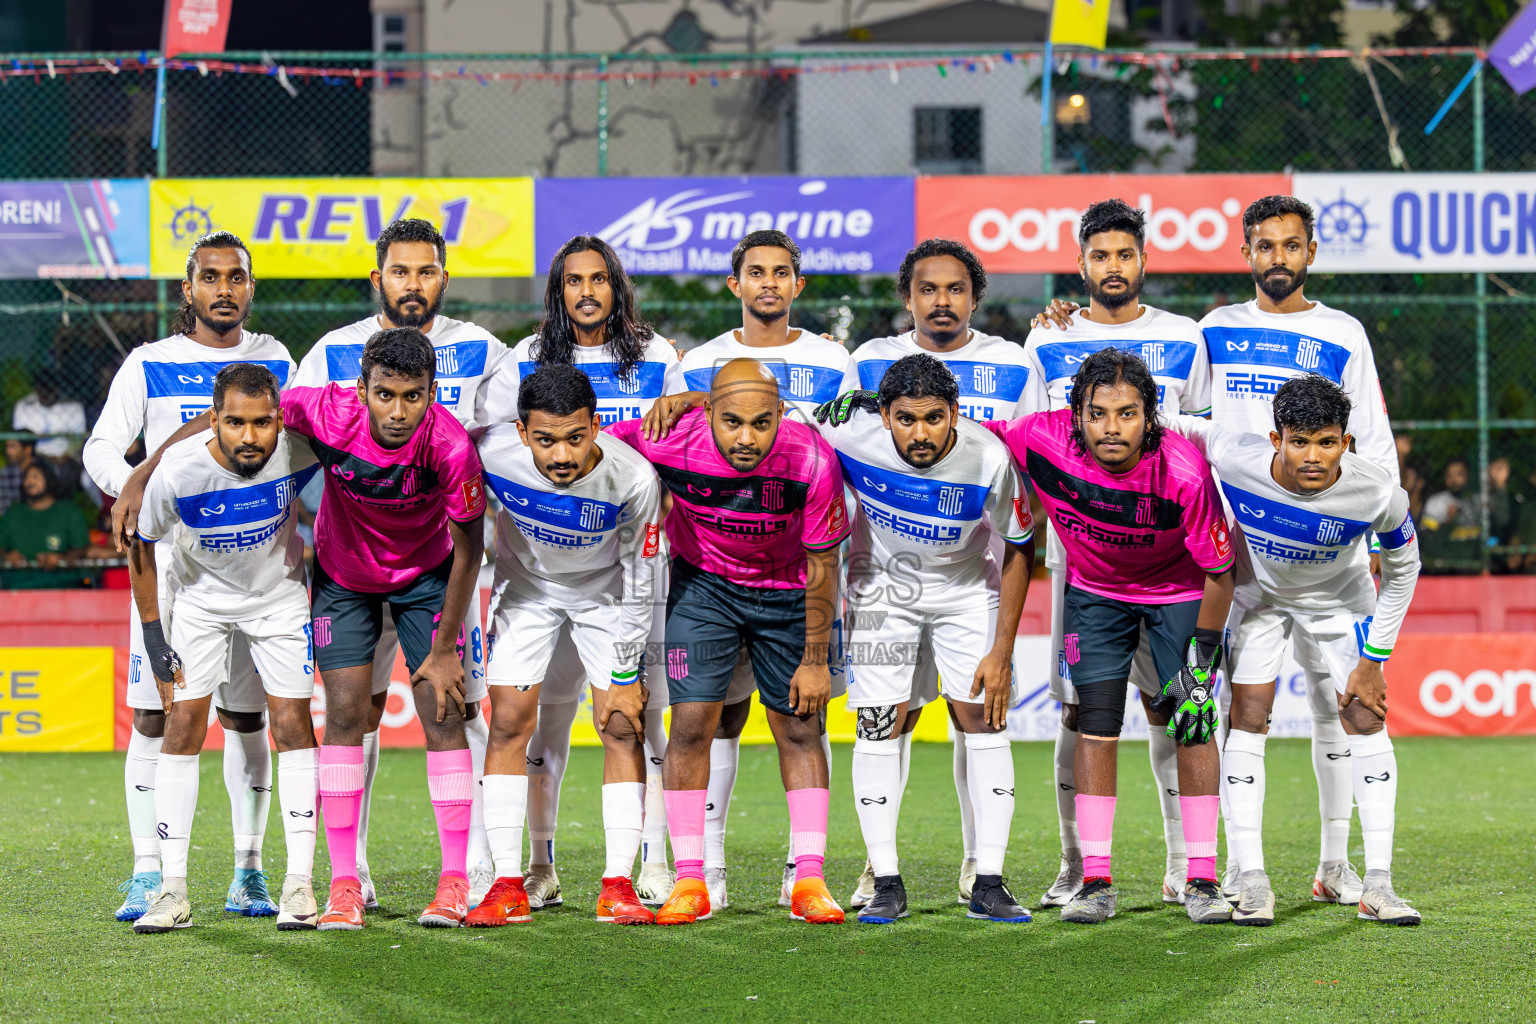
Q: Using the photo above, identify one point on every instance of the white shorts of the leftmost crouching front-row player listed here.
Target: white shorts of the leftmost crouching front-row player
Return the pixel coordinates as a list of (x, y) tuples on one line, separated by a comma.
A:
[(279, 646)]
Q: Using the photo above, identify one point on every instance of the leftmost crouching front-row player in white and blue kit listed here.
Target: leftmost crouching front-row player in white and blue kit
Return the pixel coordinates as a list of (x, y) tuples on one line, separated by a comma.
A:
[(223, 509)]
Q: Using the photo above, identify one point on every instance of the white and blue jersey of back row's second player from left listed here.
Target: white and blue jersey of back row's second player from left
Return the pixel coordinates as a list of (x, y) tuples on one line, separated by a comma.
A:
[(468, 358)]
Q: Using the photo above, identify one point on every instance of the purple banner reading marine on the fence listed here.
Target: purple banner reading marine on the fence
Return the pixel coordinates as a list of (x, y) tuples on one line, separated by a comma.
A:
[(692, 225)]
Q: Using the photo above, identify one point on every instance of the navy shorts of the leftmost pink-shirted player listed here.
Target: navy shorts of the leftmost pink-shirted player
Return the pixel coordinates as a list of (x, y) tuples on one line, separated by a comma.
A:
[(348, 624)]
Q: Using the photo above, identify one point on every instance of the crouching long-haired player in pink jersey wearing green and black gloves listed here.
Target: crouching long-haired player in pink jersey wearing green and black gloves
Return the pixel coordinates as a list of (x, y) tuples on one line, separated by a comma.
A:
[(1148, 547)]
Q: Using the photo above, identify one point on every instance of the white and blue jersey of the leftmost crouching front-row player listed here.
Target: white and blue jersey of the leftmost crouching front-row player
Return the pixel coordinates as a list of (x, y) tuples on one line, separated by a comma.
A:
[(236, 549)]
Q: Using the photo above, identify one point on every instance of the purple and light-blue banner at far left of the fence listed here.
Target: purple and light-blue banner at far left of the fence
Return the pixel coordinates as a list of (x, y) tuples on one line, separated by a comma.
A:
[(74, 230)]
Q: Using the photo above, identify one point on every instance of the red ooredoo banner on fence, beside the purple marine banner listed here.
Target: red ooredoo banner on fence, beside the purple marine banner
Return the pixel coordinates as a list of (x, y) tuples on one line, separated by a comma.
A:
[(1028, 225)]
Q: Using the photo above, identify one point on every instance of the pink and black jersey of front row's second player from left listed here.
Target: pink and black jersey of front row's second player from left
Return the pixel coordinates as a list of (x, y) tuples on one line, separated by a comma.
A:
[(385, 515)]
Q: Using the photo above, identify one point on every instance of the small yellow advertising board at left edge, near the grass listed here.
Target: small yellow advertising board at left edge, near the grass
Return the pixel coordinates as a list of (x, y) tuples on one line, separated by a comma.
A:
[(56, 699)]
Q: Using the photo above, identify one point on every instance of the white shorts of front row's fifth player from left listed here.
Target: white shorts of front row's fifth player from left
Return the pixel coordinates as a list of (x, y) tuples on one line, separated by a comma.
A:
[(887, 642)]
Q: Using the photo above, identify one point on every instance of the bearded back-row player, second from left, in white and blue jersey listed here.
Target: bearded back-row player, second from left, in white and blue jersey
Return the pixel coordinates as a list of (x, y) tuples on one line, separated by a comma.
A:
[(411, 282)]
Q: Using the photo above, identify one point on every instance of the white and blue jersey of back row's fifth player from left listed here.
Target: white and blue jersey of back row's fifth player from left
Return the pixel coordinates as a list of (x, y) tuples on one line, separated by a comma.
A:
[(996, 382)]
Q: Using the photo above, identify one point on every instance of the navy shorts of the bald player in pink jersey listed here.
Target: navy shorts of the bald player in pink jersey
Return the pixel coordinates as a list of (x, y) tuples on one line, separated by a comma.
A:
[(710, 619)]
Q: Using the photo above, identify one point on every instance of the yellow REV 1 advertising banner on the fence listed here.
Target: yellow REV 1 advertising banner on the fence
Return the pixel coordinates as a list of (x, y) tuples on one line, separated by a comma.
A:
[(325, 228)]
